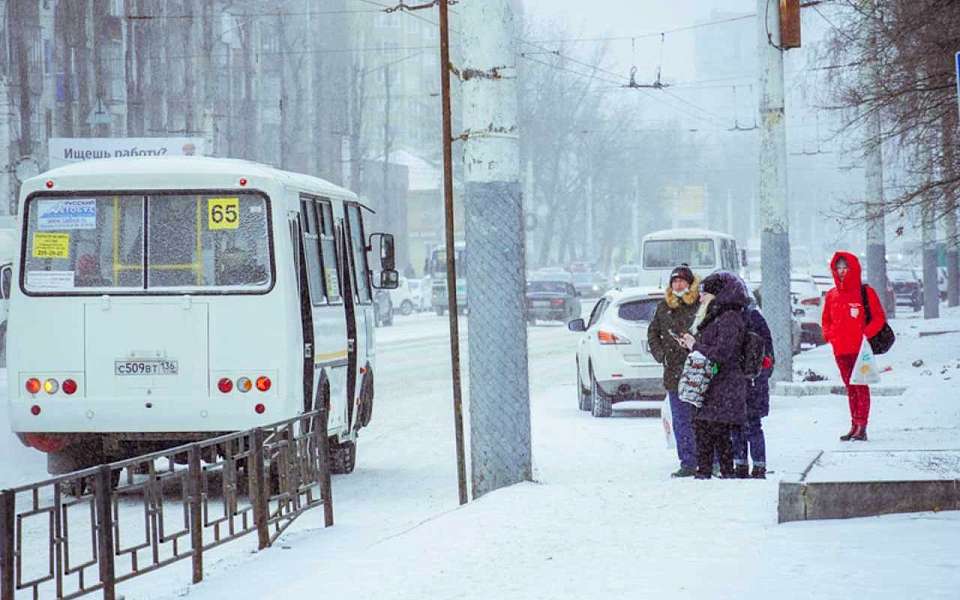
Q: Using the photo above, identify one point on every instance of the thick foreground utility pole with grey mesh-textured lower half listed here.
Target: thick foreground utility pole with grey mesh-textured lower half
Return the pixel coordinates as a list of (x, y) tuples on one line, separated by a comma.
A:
[(499, 382)]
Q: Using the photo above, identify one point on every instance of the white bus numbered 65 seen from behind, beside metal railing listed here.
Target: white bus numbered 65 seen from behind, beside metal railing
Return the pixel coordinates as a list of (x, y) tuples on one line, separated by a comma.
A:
[(159, 301)]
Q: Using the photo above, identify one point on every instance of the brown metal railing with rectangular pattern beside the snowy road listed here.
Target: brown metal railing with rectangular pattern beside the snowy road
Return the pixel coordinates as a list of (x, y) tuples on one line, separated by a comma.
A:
[(93, 529)]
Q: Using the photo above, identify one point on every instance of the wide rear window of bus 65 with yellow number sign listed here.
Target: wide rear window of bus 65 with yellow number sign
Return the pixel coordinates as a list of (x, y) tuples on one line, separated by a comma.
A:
[(135, 243)]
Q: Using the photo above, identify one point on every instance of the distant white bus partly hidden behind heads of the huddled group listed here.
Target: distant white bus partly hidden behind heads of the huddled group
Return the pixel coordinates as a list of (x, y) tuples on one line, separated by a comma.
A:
[(703, 250)]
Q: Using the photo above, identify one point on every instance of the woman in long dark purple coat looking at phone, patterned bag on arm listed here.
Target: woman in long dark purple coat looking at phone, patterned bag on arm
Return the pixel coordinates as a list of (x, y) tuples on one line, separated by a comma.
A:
[(720, 328)]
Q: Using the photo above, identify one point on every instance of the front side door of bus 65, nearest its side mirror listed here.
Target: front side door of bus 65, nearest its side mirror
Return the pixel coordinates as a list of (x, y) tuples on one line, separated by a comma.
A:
[(361, 299)]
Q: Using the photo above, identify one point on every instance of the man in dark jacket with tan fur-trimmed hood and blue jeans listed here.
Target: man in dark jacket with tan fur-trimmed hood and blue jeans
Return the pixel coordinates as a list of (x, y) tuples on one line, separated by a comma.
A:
[(674, 317)]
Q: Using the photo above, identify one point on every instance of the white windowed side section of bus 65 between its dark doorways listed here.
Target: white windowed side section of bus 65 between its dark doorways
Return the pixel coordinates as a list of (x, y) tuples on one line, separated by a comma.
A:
[(329, 350)]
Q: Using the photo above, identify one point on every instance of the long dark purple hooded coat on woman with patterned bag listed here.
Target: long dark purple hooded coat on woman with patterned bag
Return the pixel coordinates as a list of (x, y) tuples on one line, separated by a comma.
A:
[(720, 338)]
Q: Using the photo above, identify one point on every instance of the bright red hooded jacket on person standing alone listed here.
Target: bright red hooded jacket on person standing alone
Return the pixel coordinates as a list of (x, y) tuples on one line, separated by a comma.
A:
[(844, 319)]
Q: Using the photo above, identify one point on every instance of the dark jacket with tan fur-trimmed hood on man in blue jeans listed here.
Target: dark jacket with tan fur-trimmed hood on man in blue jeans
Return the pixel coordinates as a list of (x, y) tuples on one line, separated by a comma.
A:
[(673, 314)]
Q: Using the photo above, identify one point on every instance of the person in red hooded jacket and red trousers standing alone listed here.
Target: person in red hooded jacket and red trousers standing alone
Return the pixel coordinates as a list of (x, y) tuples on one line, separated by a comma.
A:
[(845, 326)]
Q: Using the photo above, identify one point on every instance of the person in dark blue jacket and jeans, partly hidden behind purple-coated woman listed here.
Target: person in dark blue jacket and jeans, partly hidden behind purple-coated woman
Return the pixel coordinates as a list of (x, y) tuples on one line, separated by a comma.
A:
[(750, 436)]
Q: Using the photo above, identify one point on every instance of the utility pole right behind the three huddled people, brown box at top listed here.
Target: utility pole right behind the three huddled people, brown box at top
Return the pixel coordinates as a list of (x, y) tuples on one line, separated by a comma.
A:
[(772, 189)]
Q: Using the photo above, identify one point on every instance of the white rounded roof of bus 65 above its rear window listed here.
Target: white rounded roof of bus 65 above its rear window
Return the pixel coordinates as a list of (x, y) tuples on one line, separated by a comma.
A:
[(189, 171)]
